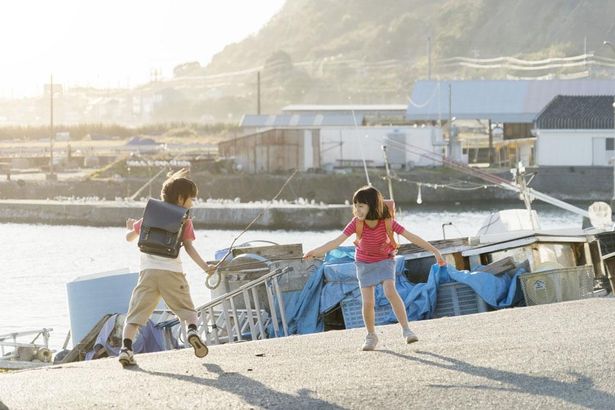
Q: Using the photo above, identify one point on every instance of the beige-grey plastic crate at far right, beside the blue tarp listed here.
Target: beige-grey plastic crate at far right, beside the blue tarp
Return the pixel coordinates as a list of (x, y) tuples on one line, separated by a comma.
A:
[(558, 285)]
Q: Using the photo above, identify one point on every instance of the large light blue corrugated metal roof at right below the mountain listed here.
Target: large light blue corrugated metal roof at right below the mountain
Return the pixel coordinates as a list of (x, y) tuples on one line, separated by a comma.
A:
[(498, 100)]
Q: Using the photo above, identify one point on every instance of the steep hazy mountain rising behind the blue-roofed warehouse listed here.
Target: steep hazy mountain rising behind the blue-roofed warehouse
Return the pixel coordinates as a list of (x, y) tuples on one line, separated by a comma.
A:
[(363, 51)]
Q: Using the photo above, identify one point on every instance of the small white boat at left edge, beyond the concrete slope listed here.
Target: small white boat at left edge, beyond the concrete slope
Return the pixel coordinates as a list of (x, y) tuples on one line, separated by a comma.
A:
[(20, 350)]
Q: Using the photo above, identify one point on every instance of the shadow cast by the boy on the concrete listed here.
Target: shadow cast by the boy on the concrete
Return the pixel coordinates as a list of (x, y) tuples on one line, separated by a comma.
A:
[(251, 391)]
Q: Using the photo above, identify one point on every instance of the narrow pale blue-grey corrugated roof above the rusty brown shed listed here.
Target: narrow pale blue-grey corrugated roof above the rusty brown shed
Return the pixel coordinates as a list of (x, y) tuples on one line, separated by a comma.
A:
[(300, 120)]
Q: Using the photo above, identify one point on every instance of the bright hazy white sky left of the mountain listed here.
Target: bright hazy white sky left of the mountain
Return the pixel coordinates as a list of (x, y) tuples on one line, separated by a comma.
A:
[(114, 43)]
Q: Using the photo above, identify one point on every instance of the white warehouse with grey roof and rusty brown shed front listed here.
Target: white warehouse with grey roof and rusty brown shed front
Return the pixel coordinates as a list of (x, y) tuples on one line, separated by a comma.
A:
[(342, 136)]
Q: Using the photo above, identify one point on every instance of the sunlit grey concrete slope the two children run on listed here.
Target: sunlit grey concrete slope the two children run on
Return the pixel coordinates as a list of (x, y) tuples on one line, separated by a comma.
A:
[(551, 356)]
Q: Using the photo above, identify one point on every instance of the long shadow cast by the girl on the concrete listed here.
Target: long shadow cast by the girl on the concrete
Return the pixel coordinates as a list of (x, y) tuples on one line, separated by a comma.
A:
[(581, 392)]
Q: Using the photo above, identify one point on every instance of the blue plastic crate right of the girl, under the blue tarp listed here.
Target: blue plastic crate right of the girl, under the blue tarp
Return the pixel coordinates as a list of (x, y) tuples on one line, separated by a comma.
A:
[(456, 299)]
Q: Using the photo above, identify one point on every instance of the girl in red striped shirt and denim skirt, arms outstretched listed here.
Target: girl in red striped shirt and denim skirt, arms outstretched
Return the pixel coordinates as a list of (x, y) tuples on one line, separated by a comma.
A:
[(375, 249)]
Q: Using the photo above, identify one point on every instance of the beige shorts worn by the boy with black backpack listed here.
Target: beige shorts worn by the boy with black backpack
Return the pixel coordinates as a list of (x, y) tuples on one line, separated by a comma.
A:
[(156, 283)]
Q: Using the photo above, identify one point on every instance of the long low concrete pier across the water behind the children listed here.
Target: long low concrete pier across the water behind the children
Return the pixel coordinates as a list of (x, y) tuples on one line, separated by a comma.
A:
[(221, 216)]
